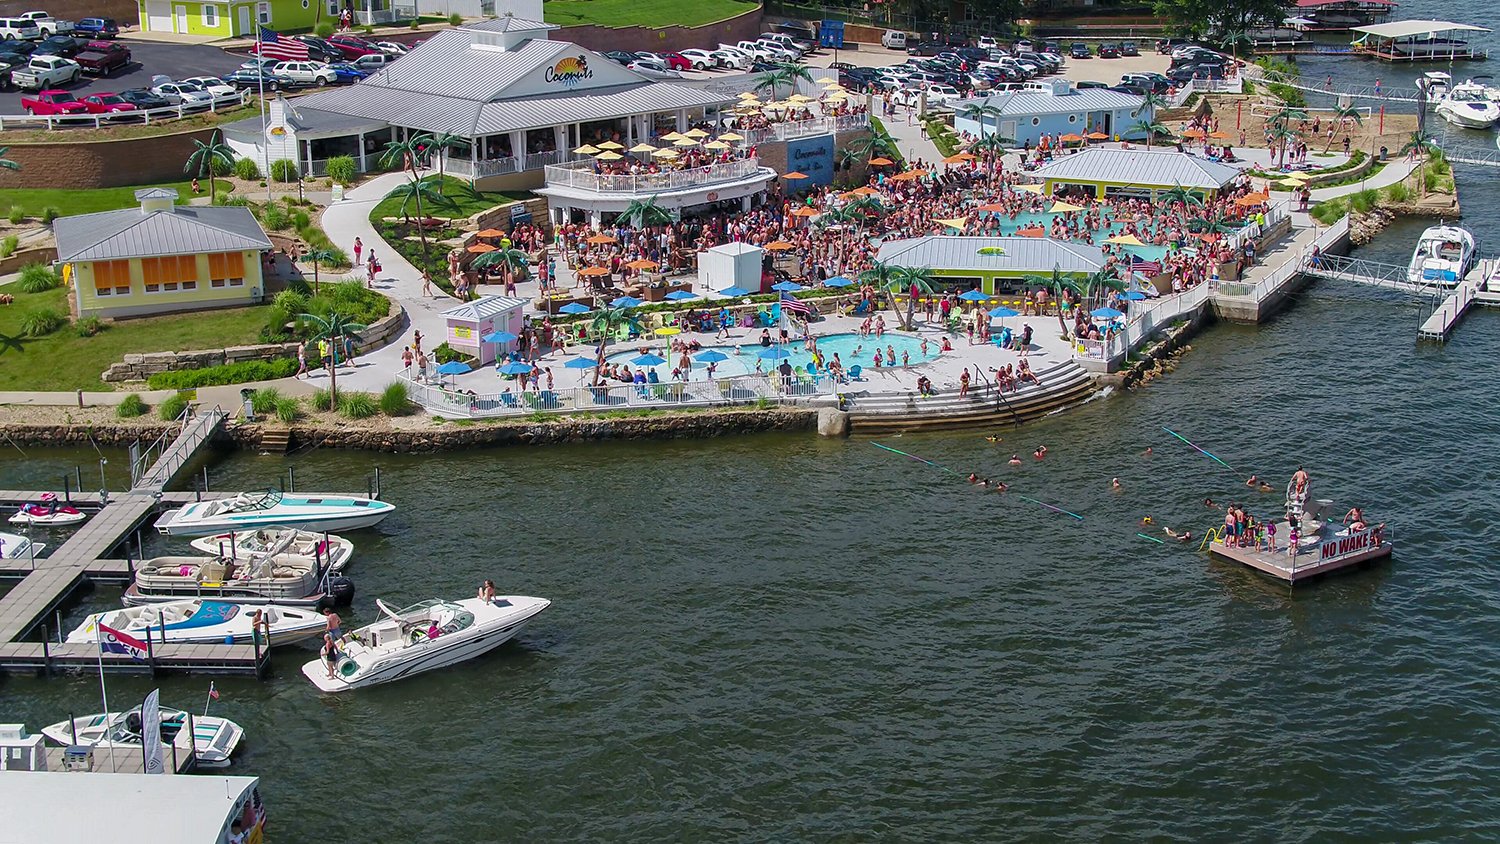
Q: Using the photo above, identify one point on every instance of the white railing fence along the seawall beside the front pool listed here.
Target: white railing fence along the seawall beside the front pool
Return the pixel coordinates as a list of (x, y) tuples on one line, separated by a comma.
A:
[(446, 401)]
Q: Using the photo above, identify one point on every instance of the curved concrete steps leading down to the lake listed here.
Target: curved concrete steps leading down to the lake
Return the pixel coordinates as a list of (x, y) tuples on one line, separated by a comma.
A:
[(1061, 385)]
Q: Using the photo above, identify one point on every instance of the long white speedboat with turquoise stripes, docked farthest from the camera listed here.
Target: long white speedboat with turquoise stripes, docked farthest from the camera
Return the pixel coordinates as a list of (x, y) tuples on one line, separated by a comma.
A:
[(272, 509)]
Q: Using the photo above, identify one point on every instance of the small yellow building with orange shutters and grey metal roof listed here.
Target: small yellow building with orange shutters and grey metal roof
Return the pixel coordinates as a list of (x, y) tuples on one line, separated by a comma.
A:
[(163, 257)]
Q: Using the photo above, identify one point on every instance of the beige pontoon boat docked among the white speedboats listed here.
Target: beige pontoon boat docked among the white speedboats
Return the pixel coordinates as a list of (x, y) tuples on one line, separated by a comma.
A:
[(284, 579)]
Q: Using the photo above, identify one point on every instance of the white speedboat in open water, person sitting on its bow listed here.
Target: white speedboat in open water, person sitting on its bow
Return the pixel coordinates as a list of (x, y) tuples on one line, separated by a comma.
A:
[(421, 638)]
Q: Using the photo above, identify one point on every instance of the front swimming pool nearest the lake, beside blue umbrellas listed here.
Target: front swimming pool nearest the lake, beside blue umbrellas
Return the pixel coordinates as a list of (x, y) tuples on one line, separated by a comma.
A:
[(851, 350)]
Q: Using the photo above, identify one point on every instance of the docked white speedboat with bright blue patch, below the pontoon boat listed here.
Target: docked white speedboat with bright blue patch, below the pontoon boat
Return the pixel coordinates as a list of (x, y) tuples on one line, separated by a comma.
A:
[(203, 623)]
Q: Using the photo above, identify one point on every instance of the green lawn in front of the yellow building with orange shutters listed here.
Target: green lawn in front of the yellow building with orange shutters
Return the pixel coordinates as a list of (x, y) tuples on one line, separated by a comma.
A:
[(64, 361)]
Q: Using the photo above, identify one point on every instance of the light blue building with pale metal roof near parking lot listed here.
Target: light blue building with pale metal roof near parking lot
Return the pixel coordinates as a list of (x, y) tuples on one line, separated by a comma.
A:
[(1055, 110)]
